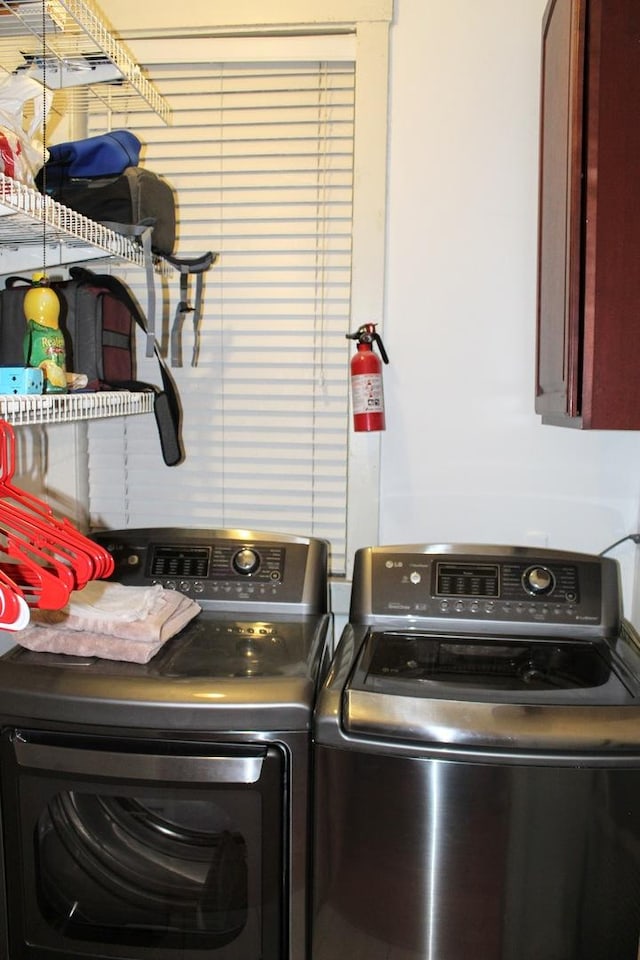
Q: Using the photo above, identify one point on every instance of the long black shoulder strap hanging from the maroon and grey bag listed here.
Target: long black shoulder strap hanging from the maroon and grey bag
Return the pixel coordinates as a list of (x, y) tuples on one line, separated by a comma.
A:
[(167, 409)]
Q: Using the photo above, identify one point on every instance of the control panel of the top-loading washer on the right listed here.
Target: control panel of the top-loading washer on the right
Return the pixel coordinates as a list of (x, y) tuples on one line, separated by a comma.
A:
[(512, 587)]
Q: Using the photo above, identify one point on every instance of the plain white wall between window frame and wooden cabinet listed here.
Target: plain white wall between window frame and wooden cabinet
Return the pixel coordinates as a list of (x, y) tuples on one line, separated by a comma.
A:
[(464, 456)]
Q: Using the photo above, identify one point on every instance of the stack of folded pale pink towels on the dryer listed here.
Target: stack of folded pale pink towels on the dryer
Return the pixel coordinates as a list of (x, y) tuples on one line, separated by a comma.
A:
[(88, 629)]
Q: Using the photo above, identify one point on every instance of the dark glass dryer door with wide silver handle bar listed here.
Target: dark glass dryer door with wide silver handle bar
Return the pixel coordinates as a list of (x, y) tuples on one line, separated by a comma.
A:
[(115, 848)]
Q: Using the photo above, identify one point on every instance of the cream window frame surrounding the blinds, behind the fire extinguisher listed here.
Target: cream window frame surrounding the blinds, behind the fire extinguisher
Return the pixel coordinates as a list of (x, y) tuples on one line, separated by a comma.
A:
[(369, 20)]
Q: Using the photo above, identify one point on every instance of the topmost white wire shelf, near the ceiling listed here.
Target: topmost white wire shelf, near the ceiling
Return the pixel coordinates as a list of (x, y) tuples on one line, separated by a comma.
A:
[(68, 43)]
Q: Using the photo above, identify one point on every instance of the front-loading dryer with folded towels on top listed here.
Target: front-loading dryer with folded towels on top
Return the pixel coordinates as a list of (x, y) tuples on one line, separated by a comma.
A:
[(160, 811)]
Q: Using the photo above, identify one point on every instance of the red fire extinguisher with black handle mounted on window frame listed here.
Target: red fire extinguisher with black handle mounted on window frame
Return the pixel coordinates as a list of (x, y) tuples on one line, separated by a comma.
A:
[(366, 380)]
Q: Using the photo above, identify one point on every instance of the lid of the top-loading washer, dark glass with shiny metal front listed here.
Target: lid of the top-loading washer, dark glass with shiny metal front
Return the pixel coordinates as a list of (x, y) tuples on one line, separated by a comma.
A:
[(502, 692)]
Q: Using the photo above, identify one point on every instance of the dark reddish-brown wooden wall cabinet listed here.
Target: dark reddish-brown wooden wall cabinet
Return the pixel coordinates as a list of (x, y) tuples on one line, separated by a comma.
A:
[(588, 350)]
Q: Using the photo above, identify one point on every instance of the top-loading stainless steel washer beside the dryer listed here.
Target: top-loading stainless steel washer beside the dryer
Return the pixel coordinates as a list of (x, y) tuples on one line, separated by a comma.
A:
[(477, 761)]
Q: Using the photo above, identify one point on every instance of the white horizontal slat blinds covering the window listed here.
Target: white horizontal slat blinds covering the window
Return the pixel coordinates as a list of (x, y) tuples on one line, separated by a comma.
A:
[(261, 156)]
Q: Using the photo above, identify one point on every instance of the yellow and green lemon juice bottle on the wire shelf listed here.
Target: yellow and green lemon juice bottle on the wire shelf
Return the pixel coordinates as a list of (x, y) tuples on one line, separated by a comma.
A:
[(44, 342)]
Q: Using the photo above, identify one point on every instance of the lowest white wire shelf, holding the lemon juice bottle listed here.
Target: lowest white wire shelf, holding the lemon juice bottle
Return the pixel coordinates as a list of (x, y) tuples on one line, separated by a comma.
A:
[(31, 409)]
